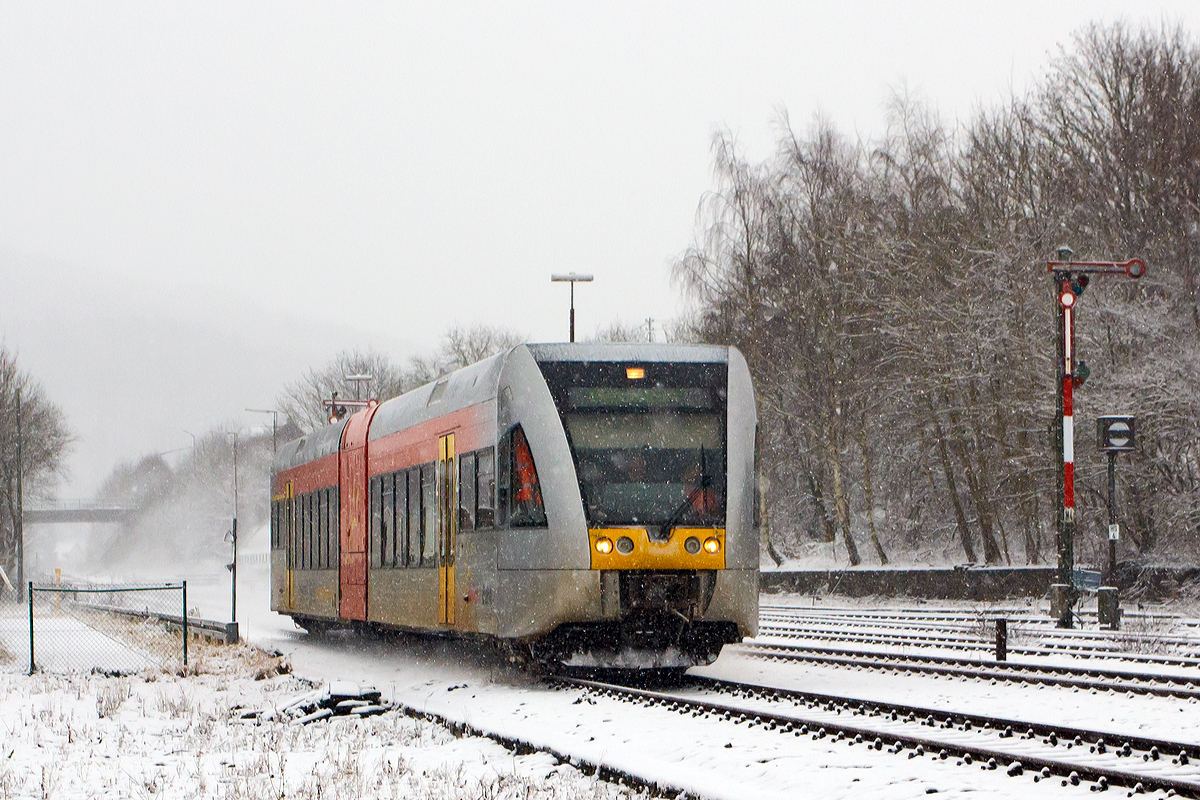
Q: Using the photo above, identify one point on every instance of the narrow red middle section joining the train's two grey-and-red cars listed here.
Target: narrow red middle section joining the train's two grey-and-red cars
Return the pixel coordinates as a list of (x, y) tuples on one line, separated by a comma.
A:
[(352, 468)]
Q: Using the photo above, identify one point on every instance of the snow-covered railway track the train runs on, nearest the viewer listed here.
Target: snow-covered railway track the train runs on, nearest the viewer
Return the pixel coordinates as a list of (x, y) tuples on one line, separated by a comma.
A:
[(1042, 751)]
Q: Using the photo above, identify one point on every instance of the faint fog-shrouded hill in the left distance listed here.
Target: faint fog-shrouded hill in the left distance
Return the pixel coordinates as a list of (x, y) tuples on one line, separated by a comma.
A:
[(134, 365)]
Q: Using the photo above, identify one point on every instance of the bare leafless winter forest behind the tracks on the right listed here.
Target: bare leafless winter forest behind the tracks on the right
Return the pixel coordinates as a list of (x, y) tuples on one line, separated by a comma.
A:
[(895, 304)]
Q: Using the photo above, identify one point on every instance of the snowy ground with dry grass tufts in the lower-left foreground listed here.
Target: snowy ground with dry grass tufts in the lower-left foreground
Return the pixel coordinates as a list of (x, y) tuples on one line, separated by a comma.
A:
[(159, 735)]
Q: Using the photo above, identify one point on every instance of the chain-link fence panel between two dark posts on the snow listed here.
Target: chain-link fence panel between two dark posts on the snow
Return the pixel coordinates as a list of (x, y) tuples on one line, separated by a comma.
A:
[(113, 630)]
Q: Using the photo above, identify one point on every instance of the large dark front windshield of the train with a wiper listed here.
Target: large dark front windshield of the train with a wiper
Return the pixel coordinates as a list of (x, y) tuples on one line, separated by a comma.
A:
[(649, 440)]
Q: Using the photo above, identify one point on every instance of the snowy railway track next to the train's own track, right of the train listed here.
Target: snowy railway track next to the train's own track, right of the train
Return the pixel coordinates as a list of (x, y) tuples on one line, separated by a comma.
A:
[(1083, 678)]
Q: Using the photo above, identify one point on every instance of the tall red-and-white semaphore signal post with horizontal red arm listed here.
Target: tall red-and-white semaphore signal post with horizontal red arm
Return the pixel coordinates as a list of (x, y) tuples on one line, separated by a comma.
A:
[(1071, 279)]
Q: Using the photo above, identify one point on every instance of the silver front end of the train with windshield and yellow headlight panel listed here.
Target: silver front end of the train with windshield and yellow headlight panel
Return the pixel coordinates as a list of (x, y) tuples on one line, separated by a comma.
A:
[(649, 464)]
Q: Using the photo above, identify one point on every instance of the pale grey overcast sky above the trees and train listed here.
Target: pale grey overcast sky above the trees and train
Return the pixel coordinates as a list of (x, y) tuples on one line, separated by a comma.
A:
[(374, 173)]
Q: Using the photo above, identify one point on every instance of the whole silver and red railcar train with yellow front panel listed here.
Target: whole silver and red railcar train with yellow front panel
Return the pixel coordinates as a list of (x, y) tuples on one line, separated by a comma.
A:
[(581, 506)]
